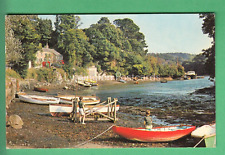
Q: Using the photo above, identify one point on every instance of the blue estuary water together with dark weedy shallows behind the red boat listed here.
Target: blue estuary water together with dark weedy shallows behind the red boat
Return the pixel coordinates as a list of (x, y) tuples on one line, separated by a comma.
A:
[(173, 96)]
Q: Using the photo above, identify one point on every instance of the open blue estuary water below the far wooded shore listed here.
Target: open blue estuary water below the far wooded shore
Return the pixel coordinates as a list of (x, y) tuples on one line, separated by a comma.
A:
[(154, 93)]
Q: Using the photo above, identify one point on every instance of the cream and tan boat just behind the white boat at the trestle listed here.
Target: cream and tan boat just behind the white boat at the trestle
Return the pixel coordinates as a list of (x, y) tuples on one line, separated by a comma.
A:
[(67, 99)]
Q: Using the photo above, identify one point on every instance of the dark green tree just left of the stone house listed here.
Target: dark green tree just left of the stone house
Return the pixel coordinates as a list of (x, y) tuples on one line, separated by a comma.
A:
[(24, 28)]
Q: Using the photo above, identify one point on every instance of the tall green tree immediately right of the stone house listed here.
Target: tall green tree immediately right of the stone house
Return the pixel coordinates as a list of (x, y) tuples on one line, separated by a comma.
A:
[(73, 43)]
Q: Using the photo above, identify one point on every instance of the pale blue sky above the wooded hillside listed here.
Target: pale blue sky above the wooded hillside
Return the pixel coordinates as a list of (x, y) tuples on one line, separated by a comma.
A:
[(164, 33)]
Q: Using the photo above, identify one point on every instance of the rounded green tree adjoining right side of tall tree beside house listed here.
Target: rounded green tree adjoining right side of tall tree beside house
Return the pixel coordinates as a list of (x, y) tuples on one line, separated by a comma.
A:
[(103, 36)]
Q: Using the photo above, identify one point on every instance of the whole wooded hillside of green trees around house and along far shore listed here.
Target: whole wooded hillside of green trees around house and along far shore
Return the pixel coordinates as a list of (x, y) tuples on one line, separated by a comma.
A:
[(116, 46)]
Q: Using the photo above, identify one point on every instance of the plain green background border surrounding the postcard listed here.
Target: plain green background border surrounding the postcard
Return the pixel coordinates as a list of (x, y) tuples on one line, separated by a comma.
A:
[(121, 6)]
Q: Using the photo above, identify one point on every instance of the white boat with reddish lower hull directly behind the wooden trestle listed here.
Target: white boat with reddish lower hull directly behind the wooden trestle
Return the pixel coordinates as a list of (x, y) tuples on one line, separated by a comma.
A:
[(66, 109)]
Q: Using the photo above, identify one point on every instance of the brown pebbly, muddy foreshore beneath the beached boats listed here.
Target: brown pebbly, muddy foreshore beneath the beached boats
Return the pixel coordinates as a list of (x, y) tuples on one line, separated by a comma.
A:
[(41, 130)]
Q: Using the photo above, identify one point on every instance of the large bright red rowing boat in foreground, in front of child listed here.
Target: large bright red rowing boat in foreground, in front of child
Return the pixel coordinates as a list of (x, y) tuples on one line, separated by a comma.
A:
[(157, 134)]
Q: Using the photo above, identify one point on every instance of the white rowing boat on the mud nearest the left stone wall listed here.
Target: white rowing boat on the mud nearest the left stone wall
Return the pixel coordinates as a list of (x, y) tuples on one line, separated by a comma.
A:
[(38, 99)]
